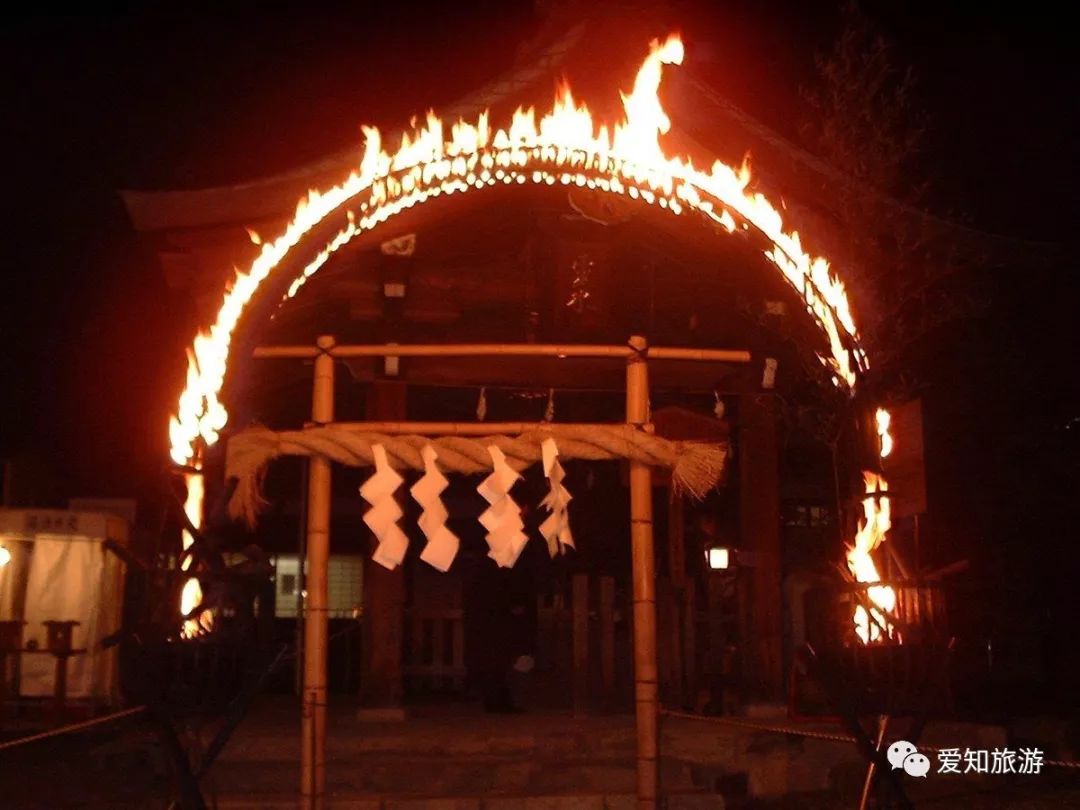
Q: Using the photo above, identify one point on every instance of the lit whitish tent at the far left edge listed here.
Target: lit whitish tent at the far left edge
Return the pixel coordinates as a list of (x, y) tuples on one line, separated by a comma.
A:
[(59, 570)]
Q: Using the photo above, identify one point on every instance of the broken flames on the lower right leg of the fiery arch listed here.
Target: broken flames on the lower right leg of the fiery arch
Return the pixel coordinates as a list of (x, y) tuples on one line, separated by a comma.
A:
[(872, 625)]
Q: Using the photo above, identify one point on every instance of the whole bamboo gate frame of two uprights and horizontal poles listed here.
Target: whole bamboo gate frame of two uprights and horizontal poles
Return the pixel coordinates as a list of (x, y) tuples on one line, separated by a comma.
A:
[(636, 354)]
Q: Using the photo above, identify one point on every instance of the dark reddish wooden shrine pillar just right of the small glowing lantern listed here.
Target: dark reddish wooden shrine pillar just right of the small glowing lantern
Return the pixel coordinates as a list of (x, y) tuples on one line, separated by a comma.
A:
[(760, 534)]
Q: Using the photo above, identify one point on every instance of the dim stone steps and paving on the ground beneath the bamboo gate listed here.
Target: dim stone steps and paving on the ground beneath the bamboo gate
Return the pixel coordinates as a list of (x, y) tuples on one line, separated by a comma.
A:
[(460, 759)]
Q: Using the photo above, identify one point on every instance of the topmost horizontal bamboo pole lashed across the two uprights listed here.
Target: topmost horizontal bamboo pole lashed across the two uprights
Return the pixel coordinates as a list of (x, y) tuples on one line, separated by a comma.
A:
[(491, 350)]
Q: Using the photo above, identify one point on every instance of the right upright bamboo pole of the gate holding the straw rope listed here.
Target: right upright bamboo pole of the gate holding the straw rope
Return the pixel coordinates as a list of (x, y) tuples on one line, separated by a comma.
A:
[(645, 599)]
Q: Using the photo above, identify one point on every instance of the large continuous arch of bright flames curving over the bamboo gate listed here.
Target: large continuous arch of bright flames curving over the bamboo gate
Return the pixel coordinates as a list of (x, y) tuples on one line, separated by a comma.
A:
[(565, 146)]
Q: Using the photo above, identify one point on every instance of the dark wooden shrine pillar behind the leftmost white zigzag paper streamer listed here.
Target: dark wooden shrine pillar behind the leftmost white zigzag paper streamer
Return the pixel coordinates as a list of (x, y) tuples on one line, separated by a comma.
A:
[(381, 680)]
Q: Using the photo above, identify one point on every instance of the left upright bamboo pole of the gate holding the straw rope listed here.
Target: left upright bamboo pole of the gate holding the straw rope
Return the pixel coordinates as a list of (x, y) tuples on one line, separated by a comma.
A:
[(314, 711)]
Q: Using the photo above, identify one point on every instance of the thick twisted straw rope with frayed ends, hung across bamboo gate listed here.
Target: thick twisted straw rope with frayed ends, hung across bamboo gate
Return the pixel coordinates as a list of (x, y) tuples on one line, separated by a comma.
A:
[(696, 466)]
